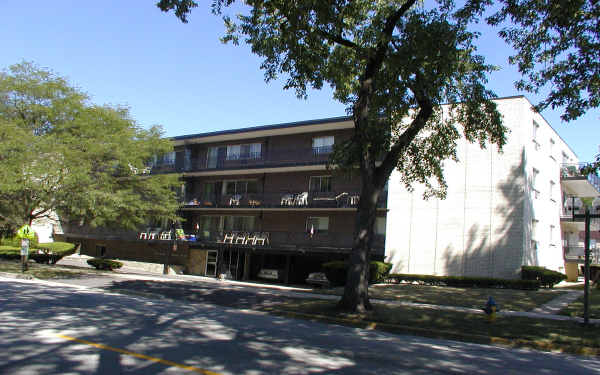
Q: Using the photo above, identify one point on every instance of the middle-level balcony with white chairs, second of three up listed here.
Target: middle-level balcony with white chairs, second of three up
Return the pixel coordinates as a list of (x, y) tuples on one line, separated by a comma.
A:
[(282, 200)]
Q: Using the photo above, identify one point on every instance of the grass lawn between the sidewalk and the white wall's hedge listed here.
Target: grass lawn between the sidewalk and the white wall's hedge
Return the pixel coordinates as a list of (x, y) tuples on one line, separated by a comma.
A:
[(507, 299)]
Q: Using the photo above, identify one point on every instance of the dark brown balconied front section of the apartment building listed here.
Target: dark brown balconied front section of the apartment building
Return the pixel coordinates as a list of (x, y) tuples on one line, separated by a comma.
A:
[(263, 203)]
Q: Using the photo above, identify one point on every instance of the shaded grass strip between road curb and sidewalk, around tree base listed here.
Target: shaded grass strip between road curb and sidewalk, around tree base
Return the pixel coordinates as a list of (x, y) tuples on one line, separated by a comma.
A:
[(543, 334)]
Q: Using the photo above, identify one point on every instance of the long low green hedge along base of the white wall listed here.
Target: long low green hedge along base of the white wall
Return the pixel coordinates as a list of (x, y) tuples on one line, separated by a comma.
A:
[(466, 281)]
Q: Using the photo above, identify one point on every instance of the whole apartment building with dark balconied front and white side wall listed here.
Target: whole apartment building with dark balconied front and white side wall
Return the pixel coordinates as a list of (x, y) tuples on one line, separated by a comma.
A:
[(262, 203)]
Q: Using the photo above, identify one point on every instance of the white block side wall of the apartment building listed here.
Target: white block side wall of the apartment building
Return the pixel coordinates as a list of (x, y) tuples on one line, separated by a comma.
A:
[(483, 227)]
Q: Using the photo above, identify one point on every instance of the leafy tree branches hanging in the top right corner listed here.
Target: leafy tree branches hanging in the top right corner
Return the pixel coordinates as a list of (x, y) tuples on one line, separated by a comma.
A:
[(557, 48)]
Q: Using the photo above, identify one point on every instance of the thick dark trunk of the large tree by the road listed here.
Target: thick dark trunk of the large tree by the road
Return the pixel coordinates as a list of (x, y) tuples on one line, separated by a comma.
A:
[(356, 291)]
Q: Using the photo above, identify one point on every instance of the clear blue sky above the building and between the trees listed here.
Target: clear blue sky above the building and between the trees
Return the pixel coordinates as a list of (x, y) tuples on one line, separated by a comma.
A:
[(181, 77)]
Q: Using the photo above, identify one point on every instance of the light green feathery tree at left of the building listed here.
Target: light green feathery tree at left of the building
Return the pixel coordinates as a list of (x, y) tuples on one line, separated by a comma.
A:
[(60, 153)]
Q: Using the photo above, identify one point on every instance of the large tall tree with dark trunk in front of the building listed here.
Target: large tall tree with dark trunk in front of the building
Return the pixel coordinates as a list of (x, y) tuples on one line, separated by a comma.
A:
[(393, 63)]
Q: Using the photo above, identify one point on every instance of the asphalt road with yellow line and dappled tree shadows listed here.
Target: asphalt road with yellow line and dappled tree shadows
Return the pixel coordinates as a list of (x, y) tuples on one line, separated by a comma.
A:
[(119, 334)]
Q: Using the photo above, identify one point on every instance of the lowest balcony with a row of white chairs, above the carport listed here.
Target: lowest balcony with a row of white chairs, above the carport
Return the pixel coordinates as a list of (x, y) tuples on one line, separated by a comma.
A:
[(283, 241)]
